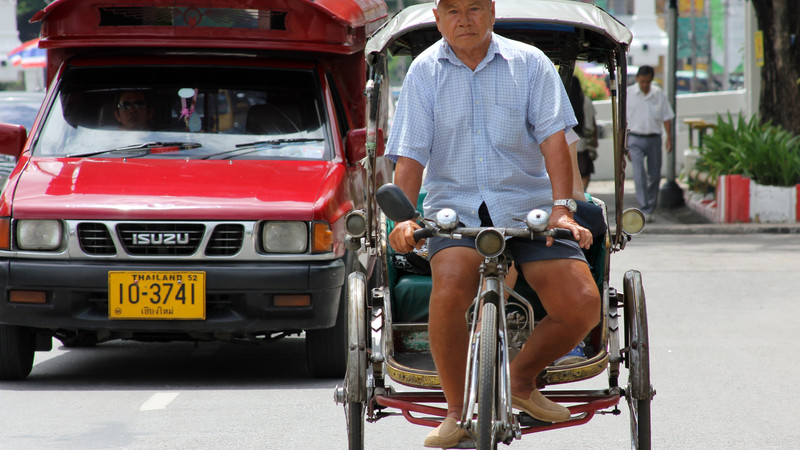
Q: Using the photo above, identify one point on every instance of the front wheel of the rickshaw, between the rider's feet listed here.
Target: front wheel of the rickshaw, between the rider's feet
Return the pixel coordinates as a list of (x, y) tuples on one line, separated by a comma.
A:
[(487, 382)]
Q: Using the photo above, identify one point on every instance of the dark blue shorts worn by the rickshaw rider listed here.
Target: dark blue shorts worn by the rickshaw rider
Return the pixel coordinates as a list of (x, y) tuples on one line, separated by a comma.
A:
[(522, 250)]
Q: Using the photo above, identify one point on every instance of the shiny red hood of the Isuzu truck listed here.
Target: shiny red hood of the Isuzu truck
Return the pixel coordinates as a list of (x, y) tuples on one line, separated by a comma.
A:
[(152, 189)]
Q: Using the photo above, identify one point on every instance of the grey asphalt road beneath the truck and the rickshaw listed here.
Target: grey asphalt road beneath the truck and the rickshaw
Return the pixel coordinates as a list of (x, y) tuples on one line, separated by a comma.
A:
[(723, 312)]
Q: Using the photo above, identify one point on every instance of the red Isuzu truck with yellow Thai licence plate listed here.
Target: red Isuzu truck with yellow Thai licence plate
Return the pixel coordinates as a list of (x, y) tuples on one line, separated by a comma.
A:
[(187, 177)]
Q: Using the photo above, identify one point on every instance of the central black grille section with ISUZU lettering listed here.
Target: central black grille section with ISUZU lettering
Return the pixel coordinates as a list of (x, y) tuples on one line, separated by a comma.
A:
[(160, 239)]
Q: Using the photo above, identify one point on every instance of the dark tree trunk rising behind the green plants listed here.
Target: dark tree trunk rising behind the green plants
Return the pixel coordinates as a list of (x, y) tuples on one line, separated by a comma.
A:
[(779, 20)]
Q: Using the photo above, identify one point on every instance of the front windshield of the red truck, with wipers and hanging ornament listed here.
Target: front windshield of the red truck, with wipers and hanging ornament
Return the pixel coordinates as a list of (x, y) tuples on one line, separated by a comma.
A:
[(186, 112)]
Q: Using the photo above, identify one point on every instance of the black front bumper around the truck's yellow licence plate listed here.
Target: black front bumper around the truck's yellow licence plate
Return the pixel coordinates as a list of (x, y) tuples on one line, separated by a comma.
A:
[(239, 296)]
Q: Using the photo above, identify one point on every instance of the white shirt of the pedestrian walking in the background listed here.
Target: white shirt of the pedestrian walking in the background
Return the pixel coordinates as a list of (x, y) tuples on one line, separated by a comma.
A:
[(647, 113)]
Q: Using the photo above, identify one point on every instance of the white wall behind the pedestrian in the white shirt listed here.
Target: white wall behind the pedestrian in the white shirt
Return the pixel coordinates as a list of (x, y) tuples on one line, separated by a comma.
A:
[(705, 106)]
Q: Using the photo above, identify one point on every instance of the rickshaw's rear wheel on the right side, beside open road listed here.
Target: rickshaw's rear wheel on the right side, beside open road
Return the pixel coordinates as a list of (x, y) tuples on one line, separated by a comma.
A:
[(639, 392)]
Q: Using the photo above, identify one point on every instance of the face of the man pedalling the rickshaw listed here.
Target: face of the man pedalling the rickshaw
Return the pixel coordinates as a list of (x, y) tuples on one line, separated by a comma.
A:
[(465, 24)]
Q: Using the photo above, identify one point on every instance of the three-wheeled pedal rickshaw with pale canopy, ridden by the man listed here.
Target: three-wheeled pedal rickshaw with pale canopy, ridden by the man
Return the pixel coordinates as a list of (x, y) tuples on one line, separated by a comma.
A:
[(387, 306)]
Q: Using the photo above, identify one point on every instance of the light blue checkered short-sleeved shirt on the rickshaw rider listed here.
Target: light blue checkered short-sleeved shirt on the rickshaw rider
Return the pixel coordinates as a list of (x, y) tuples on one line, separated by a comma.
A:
[(478, 133)]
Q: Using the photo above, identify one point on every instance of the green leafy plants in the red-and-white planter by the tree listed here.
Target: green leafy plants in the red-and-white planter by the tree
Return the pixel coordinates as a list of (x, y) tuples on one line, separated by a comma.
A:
[(767, 154)]
